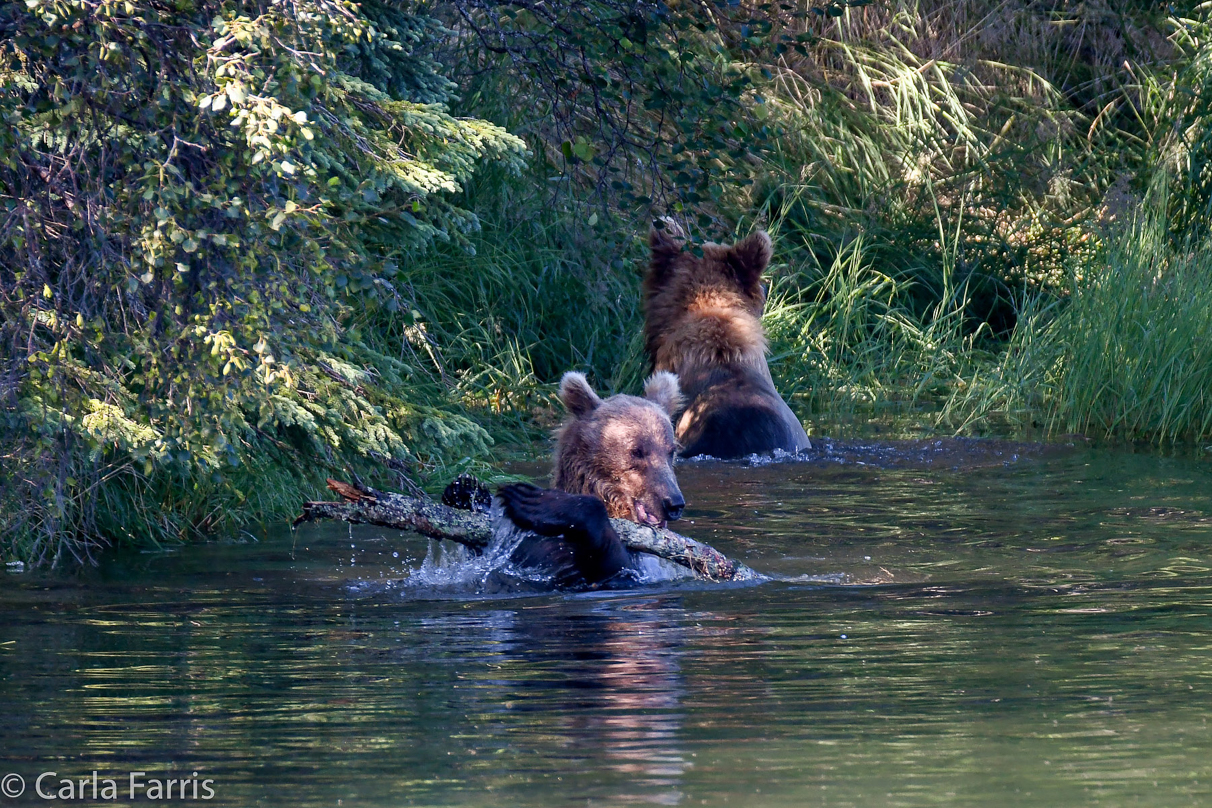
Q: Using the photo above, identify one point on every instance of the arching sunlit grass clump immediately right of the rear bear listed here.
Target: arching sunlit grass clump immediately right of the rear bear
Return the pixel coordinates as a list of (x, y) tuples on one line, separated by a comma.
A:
[(847, 346)]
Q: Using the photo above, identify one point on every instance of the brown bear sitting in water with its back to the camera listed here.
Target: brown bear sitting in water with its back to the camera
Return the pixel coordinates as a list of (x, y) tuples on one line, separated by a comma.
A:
[(704, 323)]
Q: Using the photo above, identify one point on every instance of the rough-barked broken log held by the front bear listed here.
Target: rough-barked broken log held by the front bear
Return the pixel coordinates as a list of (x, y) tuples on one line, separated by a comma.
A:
[(365, 506)]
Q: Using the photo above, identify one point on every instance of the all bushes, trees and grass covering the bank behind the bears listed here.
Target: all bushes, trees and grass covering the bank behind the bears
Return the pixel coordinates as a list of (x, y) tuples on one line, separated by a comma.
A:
[(245, 247)]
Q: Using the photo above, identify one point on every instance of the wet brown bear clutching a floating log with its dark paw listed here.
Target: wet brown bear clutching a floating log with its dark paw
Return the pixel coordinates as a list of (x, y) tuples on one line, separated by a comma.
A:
[(613, 459)]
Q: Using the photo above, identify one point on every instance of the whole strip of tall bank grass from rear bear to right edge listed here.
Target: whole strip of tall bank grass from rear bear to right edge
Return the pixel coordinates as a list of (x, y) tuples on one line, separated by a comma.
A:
[(1125, 356)]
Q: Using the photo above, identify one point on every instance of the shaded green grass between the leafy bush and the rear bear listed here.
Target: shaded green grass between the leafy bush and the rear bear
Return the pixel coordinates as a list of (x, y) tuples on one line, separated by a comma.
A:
[(539, 293)]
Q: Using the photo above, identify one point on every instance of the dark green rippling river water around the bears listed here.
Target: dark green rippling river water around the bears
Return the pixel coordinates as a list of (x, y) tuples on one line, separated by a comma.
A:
[(1026, 629)]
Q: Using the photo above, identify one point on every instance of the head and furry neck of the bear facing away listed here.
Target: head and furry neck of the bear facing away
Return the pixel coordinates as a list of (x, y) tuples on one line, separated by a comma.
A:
[(705, 311)]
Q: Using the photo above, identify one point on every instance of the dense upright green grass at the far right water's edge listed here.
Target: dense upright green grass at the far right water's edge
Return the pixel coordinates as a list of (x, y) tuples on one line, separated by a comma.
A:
[(1136, 341)]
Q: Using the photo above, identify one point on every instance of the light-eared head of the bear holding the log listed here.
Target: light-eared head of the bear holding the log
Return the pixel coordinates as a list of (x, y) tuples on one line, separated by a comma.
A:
[(621, 450)]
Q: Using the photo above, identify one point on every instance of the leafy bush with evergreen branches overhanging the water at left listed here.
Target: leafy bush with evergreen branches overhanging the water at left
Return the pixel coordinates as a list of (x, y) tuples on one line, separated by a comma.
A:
[(201, 200)]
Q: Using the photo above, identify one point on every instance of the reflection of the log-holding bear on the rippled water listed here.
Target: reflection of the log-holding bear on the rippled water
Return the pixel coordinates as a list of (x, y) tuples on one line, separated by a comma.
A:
[(594, 679)]
